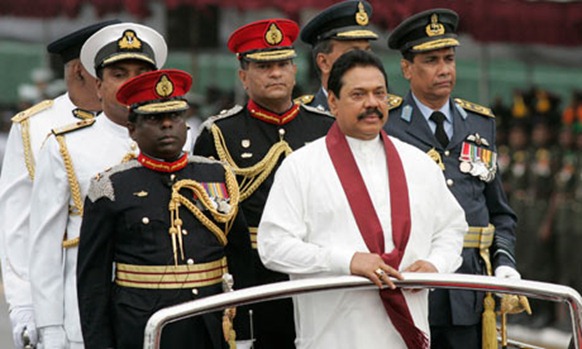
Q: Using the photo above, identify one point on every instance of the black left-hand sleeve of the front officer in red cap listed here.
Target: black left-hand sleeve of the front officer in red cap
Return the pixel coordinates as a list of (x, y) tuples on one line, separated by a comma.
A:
[(94, 273)]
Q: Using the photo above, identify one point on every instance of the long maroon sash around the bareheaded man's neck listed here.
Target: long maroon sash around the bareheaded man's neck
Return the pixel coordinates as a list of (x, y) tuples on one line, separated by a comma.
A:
[(369, 224)]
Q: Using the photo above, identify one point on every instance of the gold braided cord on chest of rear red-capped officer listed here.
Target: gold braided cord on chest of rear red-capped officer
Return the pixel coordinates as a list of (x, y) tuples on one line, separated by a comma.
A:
[(255, 175)]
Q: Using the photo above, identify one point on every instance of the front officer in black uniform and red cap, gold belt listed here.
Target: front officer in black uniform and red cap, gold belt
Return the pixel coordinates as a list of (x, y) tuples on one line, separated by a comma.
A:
[(165, 214)]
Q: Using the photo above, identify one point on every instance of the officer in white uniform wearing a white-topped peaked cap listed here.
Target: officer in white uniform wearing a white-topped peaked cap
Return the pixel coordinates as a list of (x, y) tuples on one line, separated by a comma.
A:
[(69, 158)]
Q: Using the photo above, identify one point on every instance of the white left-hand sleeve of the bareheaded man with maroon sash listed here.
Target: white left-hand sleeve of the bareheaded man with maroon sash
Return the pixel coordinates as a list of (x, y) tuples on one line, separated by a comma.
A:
[(282, 241)]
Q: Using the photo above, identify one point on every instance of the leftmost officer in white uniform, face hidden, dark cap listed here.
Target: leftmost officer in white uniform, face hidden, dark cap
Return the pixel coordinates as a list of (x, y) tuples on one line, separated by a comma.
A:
[(29, 129)]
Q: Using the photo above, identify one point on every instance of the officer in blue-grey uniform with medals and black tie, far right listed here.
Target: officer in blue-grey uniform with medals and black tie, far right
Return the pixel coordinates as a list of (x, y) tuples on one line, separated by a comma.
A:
[(460, 136)]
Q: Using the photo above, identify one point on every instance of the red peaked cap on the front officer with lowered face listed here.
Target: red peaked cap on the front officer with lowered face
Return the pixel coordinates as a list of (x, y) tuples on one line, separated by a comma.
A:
[(155, 87)]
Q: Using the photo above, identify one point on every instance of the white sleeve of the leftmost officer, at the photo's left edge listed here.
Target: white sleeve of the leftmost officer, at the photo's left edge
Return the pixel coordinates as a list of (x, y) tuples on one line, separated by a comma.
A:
[(15, 191)]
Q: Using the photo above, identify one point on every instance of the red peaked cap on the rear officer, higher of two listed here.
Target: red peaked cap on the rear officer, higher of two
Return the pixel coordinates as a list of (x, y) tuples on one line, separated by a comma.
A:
[(265, 40)]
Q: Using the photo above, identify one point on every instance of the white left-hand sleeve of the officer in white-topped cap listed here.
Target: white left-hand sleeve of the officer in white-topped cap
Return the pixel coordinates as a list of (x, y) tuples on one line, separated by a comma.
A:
[(48, 223)]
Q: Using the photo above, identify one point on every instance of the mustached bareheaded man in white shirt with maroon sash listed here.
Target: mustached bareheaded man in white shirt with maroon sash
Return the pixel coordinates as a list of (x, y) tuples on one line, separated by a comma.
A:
[(332, 211)]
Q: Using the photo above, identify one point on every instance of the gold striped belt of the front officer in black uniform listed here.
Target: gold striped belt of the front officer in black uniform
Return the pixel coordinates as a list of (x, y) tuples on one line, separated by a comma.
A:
[(171, 276)]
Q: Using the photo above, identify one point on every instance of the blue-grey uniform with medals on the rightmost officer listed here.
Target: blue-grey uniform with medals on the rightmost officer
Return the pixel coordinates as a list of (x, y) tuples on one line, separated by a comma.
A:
[(480, 193)]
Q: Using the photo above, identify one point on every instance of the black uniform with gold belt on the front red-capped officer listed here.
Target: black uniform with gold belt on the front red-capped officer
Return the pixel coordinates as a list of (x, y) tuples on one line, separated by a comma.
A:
[(126, 222)]
